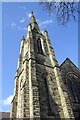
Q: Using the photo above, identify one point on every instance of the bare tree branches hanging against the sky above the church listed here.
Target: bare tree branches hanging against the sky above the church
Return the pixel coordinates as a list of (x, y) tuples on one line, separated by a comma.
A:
[(64, 11)]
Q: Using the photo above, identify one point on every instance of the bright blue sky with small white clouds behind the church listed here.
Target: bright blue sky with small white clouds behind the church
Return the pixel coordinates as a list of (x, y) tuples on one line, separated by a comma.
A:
[(15, 18)]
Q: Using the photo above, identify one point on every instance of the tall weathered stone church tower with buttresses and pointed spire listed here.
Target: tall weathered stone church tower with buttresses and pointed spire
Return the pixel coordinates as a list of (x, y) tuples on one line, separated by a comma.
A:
[(39, 91)]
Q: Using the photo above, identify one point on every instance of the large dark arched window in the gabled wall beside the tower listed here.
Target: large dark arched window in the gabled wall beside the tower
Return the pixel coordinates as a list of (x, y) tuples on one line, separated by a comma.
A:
[(74, 87)]
